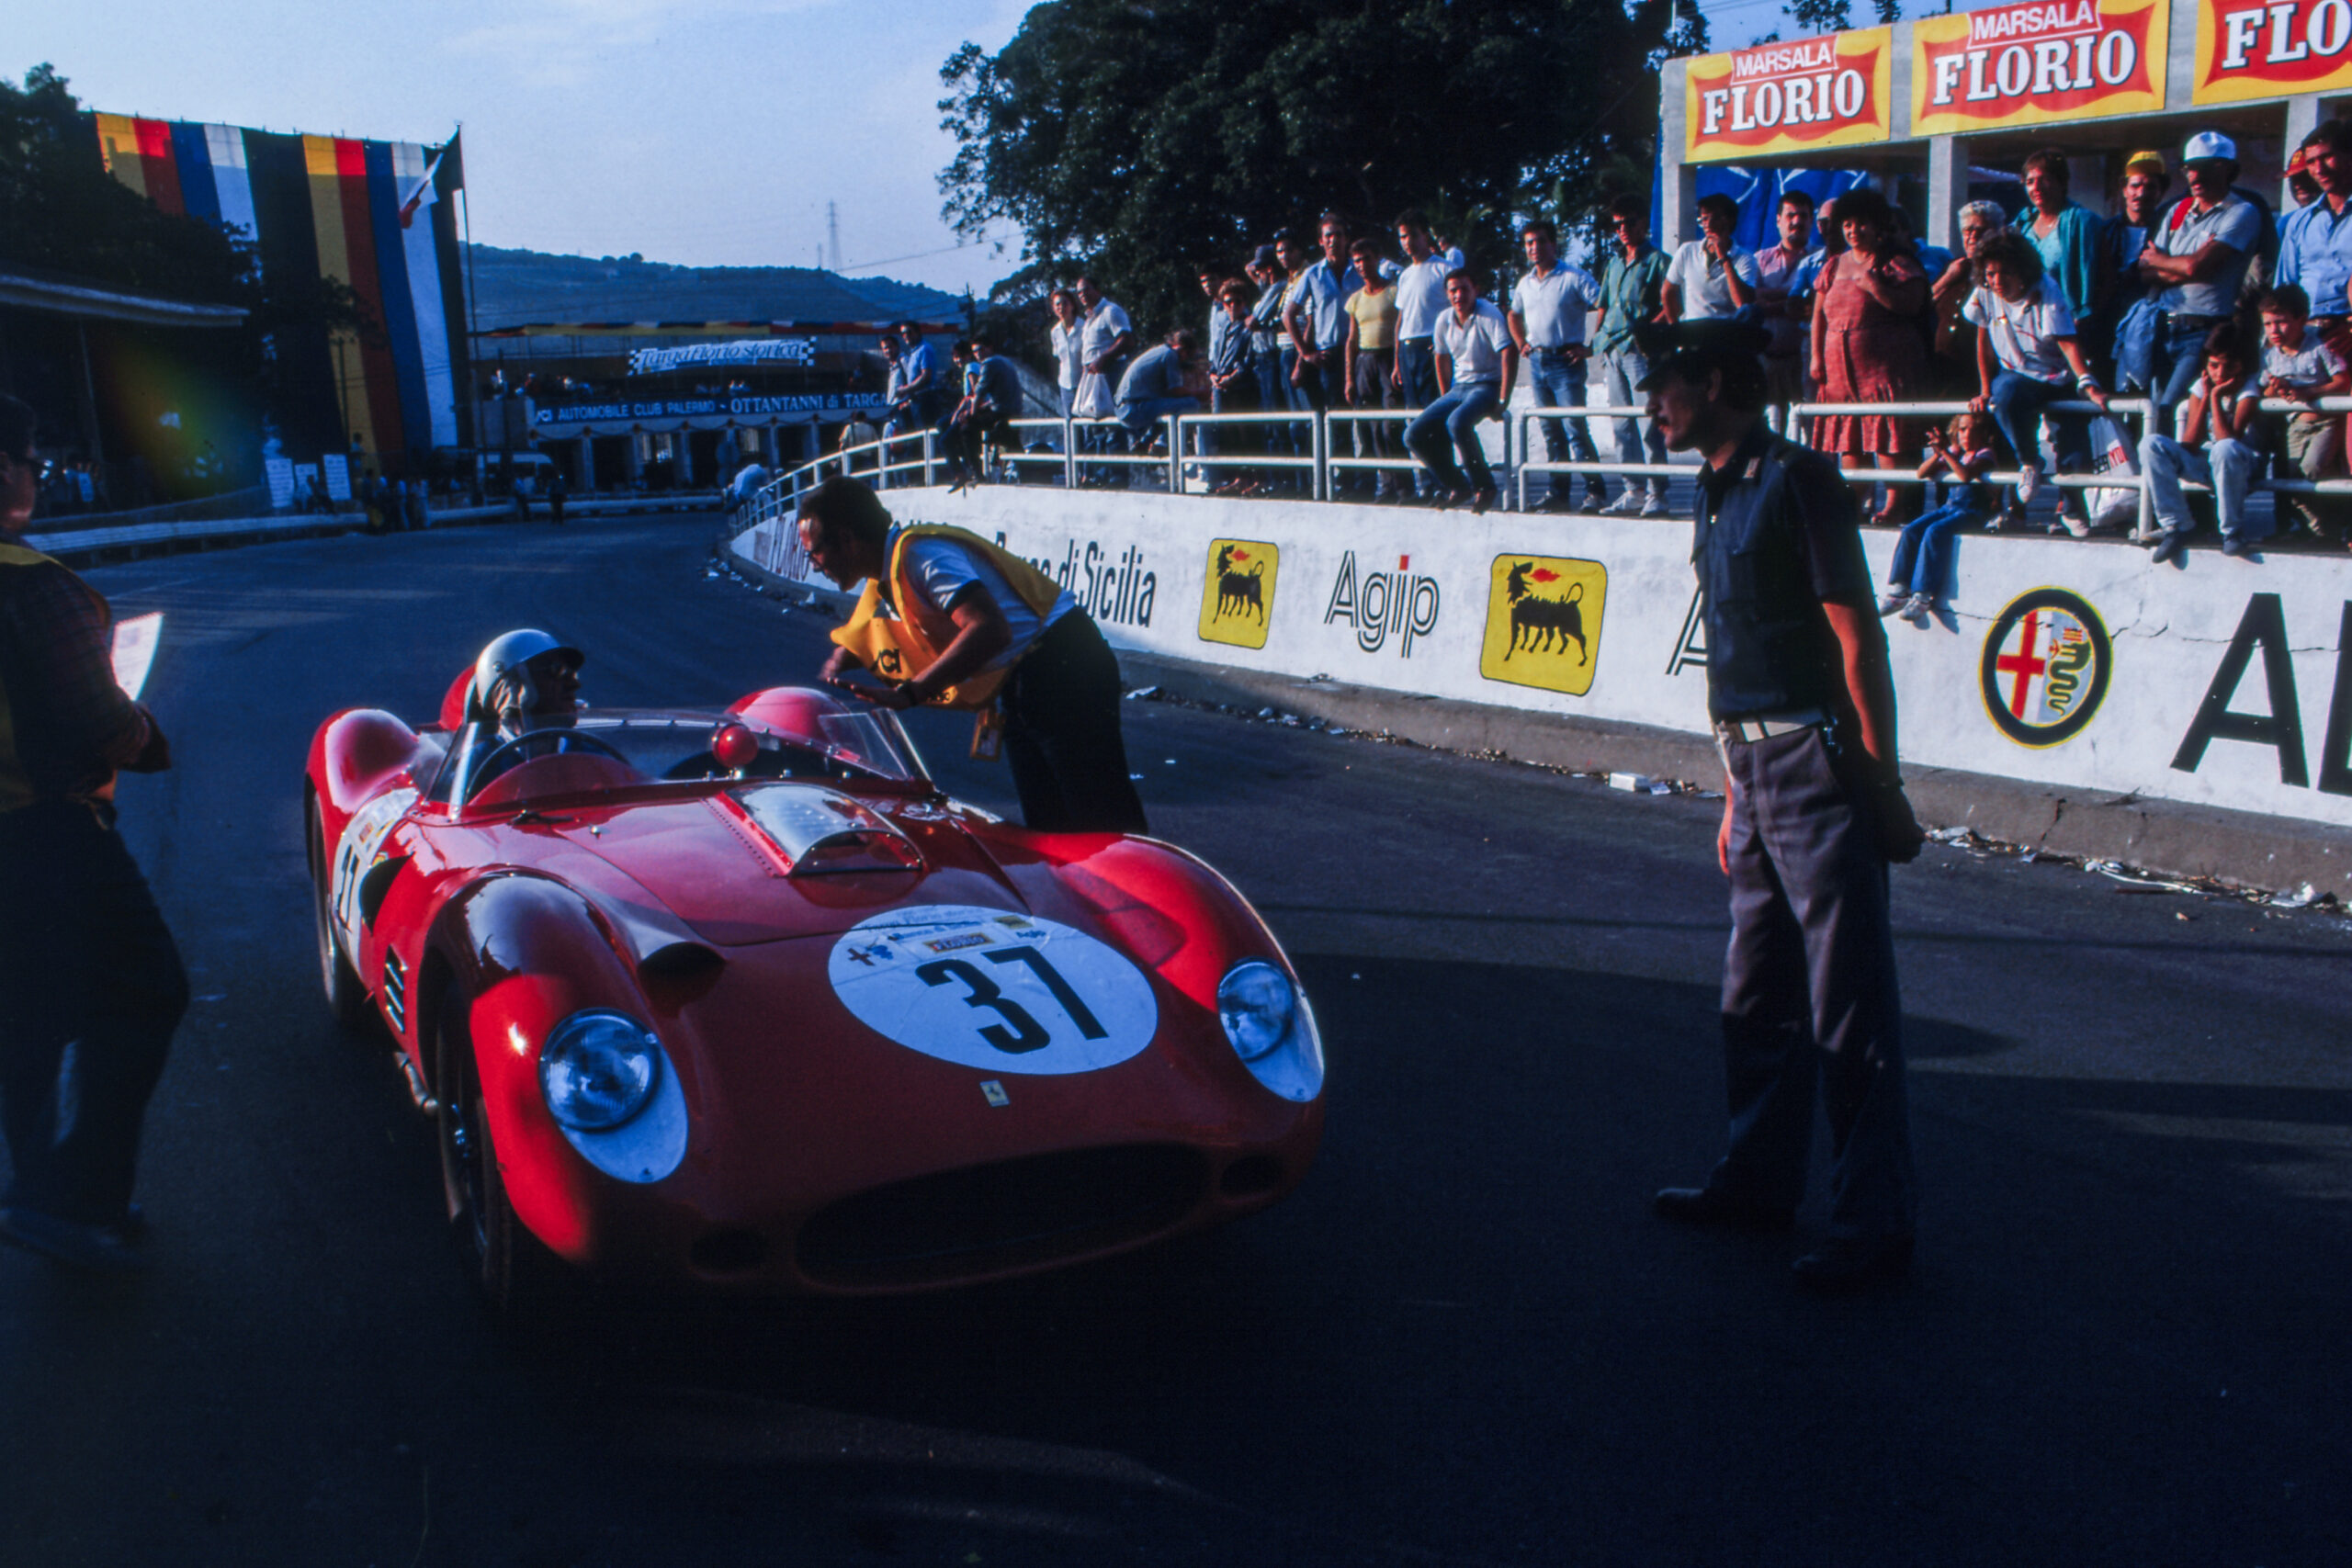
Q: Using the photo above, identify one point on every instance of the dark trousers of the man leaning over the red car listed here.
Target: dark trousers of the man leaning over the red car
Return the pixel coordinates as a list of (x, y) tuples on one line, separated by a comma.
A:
[(1062, 735)]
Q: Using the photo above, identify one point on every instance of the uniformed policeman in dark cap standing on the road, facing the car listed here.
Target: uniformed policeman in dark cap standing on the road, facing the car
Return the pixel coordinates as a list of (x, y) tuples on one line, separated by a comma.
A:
[(1815, 810)]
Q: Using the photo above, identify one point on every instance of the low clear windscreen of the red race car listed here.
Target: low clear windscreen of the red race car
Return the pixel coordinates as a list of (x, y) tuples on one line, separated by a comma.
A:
[(646, 746)]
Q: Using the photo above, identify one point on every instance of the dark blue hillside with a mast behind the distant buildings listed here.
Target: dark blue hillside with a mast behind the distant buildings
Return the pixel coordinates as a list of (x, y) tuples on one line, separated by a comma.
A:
[(516, 288)]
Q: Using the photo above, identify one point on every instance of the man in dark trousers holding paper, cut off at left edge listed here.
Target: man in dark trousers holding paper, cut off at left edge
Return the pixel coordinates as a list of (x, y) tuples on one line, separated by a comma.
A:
[(86, 958)]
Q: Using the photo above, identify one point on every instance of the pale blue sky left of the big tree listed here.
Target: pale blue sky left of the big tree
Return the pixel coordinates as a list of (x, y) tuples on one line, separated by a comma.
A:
[(704, 133)]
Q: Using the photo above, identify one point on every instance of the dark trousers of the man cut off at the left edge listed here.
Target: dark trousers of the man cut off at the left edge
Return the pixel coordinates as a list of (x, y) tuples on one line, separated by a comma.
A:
[(86, 965)]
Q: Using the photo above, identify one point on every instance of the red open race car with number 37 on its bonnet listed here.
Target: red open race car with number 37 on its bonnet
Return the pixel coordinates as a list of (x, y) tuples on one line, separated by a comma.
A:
[(744, 1000)]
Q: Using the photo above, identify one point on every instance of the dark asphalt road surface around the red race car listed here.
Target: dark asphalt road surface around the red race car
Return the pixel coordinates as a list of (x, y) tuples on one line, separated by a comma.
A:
[(1462, 1341)]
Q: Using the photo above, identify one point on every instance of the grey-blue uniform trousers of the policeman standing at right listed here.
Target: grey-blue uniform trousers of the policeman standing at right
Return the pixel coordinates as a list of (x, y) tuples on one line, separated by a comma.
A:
[(1810, 991)]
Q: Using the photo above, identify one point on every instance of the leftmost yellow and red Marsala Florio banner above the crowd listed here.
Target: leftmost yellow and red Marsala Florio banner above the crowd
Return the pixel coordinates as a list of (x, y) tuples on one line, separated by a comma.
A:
[(1791, 98)]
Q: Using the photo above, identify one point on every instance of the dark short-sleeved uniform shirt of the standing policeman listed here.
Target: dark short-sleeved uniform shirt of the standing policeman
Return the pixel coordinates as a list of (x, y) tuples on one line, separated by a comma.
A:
[(1777, 535)]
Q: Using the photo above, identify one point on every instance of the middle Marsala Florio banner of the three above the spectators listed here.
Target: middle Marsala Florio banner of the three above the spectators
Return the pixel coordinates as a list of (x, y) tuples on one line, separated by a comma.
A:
[(2047, 60)]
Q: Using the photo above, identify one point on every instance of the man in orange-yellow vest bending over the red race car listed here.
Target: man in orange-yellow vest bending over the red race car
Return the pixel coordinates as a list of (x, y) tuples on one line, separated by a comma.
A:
[(954, 622)]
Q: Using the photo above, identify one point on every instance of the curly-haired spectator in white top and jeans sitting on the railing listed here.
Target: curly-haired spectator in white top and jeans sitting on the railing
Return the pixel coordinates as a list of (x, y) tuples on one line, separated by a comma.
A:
[(2029, 359)]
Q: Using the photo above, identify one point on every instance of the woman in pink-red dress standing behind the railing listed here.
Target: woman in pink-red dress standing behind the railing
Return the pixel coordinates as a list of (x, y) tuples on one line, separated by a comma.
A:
[(1869, 342)]
